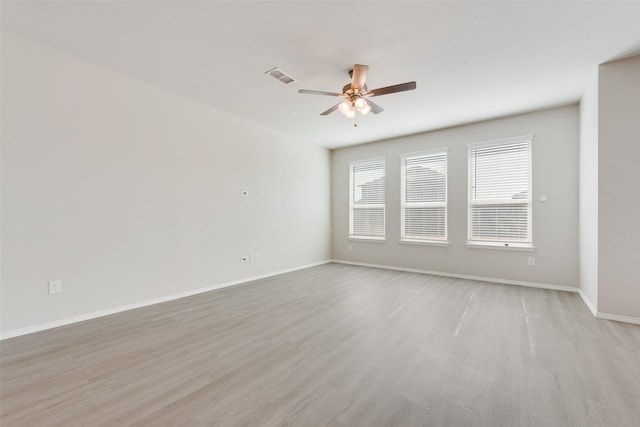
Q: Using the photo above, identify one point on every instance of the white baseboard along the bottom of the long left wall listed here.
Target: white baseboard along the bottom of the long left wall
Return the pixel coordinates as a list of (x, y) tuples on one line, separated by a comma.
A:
[(109, 311)]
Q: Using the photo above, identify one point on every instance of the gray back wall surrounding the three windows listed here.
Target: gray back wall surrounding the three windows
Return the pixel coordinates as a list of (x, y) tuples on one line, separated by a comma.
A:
[(555, 223)]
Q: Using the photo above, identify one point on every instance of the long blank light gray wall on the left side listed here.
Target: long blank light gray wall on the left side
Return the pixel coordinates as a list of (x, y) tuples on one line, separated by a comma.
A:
[(126, 192)]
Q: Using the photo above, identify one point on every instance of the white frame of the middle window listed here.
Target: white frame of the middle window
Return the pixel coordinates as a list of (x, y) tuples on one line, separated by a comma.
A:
[(404, 204)]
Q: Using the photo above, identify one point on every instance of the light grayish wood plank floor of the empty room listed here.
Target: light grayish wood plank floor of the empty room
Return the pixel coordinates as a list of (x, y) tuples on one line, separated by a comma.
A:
[(332, 345)]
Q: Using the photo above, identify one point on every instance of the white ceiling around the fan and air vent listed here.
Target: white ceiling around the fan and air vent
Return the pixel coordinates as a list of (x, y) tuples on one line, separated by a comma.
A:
[(471, 60)]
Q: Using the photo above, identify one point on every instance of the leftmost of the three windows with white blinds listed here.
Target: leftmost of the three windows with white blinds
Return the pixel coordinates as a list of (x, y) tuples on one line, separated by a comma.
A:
[(366, 196)]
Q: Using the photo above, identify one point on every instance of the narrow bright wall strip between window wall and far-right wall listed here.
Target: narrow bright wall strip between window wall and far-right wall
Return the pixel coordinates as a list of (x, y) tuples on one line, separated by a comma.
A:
[(588, 161)]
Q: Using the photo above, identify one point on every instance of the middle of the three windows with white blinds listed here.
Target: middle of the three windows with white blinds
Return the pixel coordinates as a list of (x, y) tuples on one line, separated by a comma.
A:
[(424, 196)]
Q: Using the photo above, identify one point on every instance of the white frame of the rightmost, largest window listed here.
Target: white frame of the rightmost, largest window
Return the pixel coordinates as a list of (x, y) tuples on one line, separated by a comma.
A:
[(501, 244)]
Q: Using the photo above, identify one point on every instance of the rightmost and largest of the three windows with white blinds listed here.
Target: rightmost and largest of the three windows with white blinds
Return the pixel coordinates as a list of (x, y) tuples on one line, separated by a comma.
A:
[(500, 192)]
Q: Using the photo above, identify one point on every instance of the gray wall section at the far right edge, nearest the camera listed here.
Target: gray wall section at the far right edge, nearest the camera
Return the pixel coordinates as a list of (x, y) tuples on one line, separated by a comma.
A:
[(618, 180)]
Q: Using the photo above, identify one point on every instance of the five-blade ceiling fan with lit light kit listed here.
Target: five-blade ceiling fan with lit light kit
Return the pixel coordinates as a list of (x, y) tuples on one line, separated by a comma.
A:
[(356, 94)]
